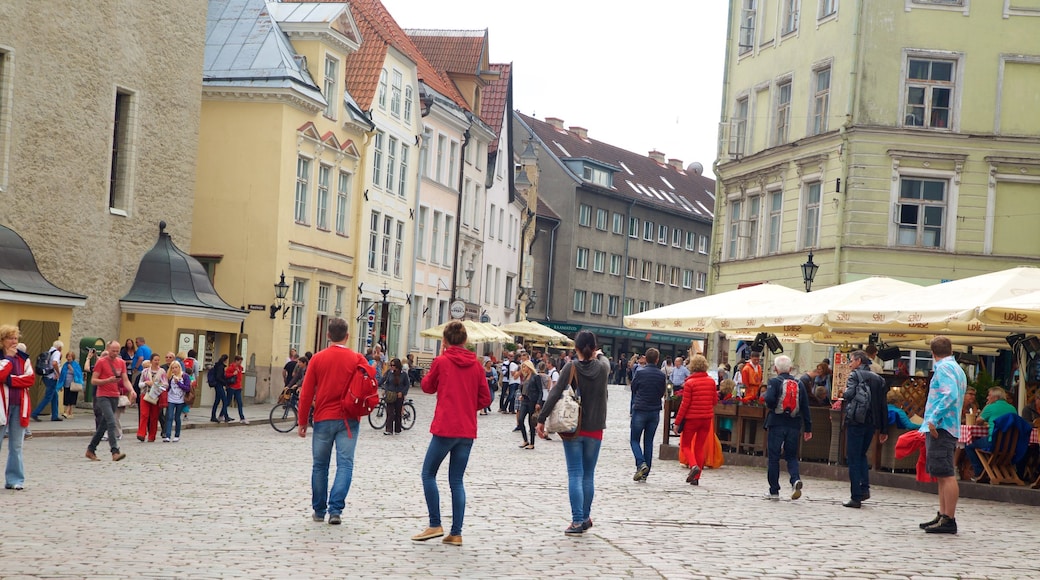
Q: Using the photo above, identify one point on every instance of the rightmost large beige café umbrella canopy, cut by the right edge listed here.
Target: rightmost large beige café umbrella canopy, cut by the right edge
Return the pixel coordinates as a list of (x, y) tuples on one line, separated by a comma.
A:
[(950, 308)]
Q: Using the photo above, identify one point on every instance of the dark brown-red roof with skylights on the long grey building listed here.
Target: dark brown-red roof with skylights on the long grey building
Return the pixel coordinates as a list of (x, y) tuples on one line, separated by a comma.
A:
[(639, 177)]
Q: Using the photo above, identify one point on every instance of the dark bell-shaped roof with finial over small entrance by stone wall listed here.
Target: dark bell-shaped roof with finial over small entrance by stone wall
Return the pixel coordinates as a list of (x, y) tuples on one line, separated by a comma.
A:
[(168, 276)]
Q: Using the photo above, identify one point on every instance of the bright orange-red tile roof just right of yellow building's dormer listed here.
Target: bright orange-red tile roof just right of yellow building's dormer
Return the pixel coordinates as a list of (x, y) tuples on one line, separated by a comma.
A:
[(379, 32)]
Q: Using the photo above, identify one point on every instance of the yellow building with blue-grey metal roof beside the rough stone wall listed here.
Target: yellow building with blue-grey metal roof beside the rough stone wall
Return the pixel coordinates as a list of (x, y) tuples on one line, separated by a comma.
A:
[(280, 176)]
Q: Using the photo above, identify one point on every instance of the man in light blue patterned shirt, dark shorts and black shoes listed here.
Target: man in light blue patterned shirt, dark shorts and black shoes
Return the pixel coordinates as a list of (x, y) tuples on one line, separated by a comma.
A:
[(942, 428)]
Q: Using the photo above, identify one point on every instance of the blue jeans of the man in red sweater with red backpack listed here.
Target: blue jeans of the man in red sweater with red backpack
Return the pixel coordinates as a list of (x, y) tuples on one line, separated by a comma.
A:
[(327, 434)]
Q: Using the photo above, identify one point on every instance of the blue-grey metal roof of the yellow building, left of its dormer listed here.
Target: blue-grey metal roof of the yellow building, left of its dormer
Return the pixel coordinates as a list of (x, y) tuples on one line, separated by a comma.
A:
[(246, 48)]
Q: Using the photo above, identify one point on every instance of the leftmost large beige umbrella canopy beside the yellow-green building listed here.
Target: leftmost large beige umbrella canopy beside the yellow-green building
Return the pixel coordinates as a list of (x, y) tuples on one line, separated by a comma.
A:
[(697, 317)]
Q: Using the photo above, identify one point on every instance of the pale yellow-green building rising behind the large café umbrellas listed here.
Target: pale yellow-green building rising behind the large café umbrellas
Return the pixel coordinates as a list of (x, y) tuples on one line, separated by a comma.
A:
[(894, 138)]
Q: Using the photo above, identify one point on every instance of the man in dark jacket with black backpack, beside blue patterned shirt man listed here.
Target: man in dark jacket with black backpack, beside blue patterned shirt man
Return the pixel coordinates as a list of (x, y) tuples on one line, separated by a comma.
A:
[(861, 427)]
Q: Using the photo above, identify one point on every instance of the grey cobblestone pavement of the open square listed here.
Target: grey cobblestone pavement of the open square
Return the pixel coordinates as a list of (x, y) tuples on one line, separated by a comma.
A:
[(236, 503)]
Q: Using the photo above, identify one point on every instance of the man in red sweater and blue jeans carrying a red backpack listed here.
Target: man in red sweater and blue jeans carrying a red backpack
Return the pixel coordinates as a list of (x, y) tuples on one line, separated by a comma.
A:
[(329, 376)]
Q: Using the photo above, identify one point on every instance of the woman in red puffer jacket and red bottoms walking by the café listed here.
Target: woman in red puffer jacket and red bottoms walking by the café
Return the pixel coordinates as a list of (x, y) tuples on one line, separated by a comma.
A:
[(696, 414)]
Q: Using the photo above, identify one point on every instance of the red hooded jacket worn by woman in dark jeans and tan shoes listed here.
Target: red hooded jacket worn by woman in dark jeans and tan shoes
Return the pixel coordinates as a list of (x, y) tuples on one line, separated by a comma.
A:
[(462, 390)]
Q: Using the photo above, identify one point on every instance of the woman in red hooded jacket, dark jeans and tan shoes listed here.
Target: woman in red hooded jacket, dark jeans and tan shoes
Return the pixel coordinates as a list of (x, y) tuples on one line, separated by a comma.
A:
[(462, 390)]
